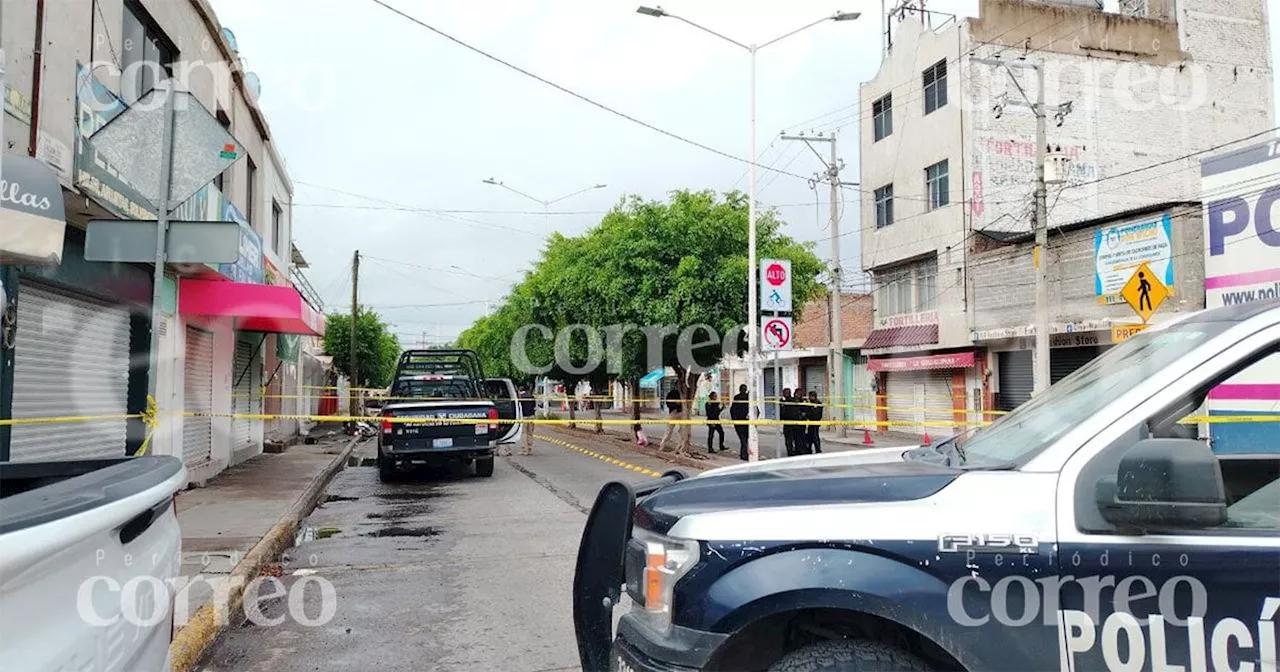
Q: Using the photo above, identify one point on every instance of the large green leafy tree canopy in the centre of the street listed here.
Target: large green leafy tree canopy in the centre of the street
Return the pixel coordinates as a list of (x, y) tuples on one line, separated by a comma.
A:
[(648, 266)]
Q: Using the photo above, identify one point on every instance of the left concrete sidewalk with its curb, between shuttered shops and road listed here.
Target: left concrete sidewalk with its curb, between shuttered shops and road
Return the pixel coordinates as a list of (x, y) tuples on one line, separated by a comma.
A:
[(240, 523)]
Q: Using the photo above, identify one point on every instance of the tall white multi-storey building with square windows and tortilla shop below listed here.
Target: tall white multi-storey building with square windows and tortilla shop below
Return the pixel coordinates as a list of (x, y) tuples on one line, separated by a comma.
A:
[(949, 153)]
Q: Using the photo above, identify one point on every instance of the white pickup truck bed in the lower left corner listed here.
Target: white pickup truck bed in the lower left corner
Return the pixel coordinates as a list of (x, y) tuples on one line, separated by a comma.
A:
[(89, 557)]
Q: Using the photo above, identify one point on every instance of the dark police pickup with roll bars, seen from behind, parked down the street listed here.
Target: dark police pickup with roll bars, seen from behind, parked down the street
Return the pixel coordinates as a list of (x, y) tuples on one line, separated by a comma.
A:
[(442, 410)]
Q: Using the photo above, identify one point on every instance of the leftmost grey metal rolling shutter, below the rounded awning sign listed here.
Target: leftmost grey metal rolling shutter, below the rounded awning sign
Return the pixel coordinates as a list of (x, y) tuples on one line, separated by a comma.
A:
[(71, 359)]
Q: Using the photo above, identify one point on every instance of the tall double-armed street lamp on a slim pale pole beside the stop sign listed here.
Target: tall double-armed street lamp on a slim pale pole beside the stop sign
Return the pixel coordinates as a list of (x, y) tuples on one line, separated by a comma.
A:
[(753, 336)]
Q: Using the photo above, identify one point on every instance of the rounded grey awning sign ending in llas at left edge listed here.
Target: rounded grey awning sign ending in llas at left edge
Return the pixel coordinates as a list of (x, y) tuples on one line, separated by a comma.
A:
[(33, 217)]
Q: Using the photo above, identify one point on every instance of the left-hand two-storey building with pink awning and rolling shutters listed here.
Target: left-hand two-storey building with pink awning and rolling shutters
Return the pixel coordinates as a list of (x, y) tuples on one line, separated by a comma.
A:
[(80, 331)]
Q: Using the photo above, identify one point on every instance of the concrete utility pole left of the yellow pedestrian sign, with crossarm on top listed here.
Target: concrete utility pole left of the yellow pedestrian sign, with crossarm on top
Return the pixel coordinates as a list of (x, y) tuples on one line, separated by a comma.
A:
[(1043, 377)]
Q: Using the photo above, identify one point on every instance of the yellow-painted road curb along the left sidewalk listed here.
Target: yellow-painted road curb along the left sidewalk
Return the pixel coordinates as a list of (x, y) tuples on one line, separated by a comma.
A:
[(190, 643)]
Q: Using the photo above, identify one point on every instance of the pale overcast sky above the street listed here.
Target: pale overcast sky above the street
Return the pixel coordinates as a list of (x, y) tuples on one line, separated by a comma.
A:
[(364, 102)]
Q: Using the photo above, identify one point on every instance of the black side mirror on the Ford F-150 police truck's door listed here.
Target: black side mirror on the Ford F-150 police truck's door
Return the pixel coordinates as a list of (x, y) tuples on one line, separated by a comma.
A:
[(1165, 484)]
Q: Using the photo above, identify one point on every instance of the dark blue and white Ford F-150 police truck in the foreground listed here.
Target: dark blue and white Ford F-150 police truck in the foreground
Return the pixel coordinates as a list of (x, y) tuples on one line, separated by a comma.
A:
[(1094, 528)]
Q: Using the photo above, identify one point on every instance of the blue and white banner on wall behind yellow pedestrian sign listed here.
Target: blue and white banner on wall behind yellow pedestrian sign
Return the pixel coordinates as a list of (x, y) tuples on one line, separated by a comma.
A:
[(1121, 250)]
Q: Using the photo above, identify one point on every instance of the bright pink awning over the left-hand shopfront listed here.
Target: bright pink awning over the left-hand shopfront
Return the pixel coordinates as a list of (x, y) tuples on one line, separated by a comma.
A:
[(255, 308)]
